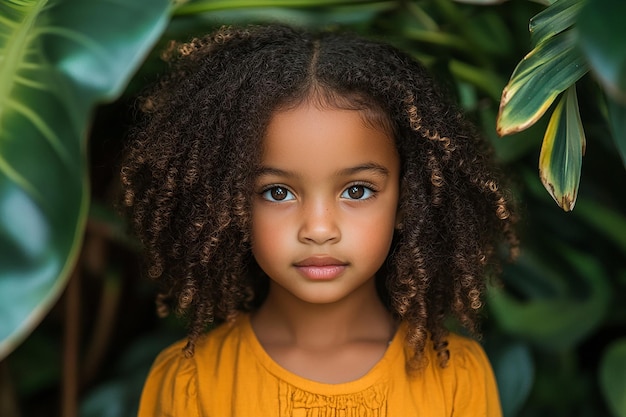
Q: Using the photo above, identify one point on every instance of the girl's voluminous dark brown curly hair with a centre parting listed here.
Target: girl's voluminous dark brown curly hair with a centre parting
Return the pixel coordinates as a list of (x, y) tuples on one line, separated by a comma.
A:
[(190, 168)]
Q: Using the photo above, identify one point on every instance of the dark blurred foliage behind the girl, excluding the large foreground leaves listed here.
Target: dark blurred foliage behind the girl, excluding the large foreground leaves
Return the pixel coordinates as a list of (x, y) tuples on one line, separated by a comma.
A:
[(555, 327)]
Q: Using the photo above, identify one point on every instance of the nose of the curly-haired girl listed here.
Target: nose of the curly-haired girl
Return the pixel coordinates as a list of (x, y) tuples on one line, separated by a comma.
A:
[(319, 223)]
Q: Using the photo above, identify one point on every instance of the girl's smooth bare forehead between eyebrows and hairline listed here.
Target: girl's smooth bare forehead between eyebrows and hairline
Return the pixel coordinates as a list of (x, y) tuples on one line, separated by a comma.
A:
[(322, 139)]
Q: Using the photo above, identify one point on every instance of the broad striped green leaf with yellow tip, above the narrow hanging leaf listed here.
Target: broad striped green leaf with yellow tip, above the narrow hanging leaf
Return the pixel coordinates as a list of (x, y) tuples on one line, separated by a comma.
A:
[(549, 69)]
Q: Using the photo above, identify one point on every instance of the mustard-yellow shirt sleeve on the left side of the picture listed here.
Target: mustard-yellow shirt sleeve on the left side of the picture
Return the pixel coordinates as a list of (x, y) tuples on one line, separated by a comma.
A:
[(171, 387)]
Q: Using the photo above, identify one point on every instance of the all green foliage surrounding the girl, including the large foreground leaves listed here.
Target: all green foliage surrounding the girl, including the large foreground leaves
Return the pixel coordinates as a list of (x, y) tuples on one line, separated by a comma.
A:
[(78, 330)]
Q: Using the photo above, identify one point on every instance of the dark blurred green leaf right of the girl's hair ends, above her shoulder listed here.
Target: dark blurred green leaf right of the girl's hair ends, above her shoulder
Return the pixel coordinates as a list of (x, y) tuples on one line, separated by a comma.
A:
[(554, 312)]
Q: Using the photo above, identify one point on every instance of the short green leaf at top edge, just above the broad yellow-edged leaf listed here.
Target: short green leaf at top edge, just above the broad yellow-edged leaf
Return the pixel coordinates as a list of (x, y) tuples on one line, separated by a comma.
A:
[(553, 20)]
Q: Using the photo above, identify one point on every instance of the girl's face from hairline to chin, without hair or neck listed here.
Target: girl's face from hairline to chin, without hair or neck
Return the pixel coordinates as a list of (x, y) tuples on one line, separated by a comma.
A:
[(325, 202)]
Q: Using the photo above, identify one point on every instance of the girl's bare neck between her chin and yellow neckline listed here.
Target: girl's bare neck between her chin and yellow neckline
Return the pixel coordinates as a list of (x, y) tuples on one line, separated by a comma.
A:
[(287, 320)]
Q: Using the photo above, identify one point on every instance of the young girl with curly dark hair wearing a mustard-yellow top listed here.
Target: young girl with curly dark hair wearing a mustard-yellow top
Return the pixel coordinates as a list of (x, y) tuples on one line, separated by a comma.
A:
[(317, 197)]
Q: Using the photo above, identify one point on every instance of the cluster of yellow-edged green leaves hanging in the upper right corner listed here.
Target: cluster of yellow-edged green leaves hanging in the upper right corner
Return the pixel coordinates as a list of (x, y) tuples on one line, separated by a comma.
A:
[(569, 38)]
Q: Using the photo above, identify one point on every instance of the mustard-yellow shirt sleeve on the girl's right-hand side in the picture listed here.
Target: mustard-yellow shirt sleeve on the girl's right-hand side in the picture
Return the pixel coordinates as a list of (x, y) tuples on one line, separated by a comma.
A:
[(476, 393)]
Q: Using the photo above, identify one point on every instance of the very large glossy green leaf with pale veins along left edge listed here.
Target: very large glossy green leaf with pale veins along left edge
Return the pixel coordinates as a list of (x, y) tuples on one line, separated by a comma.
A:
[(58, 58)]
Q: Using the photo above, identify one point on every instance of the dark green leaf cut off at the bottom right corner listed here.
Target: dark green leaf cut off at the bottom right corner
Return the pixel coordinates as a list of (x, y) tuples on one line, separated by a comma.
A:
[(613, 377)]
